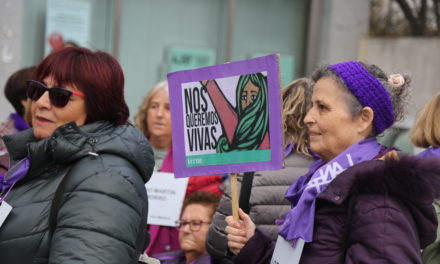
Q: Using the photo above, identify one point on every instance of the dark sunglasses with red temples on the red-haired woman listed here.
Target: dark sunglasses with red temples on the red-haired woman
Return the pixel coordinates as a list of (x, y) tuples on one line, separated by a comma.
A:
[(59, 97)]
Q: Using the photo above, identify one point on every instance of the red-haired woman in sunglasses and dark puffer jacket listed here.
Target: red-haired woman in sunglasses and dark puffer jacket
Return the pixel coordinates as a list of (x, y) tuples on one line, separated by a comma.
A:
[(75, 191)]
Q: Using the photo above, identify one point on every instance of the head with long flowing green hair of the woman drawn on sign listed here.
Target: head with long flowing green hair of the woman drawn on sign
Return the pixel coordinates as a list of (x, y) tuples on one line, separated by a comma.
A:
[(252, 113)]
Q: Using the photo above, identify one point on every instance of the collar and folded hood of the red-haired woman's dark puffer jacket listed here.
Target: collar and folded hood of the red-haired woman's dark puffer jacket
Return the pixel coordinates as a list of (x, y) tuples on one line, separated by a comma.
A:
[(70, 143)]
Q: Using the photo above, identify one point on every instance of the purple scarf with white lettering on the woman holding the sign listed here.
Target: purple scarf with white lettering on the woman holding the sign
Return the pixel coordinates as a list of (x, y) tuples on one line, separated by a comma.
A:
[(300, 219)]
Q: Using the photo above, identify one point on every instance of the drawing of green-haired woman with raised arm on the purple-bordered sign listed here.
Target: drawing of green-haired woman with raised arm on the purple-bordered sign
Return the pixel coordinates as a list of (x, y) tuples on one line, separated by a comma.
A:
[(245, 126)]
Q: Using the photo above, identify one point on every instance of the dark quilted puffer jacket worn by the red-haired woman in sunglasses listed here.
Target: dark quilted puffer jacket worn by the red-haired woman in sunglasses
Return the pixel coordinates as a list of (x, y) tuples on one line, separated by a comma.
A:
[(103, 212)]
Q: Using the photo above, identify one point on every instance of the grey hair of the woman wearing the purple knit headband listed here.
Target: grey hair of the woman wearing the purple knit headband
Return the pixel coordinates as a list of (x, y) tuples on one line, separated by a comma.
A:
[(399, 95)]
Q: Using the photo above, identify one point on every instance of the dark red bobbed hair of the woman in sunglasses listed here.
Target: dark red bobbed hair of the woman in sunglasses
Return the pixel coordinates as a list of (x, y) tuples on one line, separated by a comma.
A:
[(97, 74)]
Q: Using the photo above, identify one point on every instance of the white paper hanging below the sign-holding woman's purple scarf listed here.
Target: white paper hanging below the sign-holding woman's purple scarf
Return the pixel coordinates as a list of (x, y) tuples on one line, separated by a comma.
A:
[(284, 253)]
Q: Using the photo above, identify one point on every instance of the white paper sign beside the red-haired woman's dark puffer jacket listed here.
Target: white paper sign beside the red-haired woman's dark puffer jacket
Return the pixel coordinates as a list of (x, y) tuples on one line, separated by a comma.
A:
[(165, 198)]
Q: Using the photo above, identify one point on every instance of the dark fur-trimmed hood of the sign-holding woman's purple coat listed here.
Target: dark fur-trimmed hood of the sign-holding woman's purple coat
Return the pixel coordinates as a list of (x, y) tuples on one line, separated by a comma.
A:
[(415, 182)]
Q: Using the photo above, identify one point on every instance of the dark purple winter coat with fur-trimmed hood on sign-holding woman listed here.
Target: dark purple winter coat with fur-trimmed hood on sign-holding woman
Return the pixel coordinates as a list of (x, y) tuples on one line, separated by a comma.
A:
[(393, 217)]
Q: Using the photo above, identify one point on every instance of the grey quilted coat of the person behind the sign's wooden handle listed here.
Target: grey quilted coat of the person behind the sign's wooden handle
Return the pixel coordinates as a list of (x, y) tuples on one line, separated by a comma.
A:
[(267, 202)]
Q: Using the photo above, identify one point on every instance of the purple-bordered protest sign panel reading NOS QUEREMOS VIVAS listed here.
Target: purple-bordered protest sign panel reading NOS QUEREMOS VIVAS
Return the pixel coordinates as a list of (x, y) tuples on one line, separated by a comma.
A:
[(227, 118)]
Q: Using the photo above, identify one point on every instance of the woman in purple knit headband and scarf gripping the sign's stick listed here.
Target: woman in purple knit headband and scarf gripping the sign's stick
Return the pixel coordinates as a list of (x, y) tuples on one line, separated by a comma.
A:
[(360, 202)]
